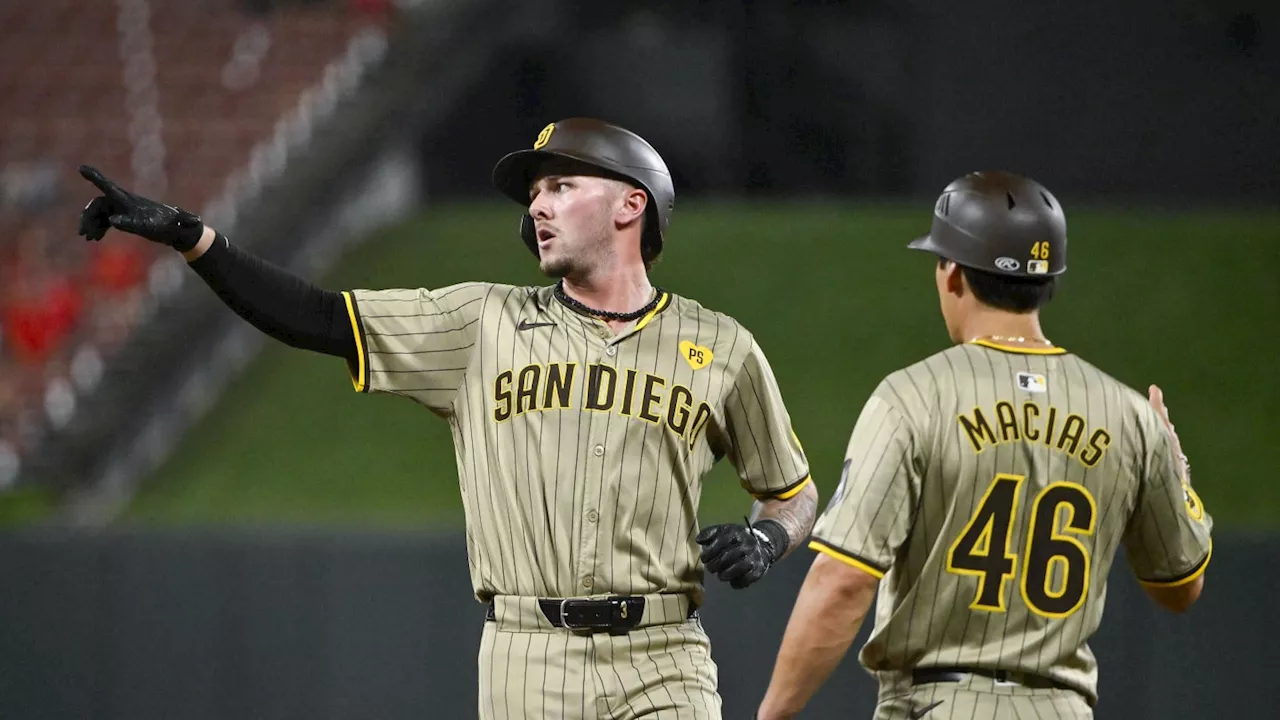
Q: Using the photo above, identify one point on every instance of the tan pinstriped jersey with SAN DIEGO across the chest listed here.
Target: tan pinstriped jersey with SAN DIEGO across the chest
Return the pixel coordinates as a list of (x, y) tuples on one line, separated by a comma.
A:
[(580, 453)]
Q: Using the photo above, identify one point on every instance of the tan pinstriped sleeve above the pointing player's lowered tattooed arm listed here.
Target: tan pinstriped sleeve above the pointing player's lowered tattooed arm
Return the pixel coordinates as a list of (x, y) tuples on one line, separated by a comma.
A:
[(764, 448)]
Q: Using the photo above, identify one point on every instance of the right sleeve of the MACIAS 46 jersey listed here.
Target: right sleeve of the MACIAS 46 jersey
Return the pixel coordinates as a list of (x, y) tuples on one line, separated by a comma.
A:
[(1168, 540)]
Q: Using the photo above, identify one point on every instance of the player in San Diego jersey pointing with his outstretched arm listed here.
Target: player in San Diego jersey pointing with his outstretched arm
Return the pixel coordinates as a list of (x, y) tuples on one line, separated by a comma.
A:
[(584, 417)]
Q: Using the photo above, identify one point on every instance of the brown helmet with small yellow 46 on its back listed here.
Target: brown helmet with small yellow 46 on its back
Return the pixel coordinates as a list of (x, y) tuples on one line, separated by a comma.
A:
[(1002, 224)]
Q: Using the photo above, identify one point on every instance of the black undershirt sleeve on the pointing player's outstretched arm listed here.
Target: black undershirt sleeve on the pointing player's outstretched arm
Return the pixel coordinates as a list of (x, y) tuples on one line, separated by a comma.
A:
[(278, 303)]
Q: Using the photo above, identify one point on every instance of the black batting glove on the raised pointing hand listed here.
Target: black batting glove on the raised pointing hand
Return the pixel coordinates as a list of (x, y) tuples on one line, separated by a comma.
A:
[(118, 208)]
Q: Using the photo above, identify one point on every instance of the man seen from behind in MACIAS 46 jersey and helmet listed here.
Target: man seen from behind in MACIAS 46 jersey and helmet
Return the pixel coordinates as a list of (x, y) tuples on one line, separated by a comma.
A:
[(986, 493)]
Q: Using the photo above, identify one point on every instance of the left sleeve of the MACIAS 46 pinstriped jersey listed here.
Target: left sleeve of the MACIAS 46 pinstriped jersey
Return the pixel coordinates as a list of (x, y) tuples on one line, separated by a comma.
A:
[(870, 516)]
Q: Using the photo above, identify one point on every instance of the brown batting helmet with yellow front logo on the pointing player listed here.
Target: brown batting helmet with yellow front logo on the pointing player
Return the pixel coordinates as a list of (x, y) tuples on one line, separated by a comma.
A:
[(614, 152)]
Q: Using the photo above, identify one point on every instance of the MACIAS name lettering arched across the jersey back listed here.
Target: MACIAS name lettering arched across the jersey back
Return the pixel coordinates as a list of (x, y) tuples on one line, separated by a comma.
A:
[(1032, 423)]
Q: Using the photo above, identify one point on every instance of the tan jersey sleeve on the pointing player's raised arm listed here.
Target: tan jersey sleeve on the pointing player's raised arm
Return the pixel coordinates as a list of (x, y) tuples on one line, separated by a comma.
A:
[(415, 343)]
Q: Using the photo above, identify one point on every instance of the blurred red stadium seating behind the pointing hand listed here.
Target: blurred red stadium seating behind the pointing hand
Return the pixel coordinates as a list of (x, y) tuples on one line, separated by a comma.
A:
[(60, 110)]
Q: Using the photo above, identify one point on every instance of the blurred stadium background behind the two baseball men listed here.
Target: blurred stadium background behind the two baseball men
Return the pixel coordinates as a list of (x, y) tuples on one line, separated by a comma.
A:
[(198, 523)]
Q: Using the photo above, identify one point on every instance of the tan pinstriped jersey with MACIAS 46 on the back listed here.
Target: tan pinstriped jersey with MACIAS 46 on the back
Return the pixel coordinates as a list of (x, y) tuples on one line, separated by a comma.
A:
[(991, 489)]
